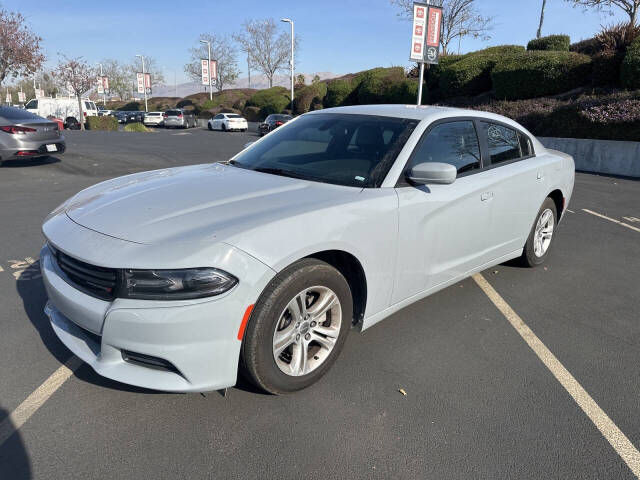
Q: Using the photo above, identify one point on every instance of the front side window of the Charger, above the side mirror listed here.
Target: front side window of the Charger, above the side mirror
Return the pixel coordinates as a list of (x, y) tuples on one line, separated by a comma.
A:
[(455, 143)]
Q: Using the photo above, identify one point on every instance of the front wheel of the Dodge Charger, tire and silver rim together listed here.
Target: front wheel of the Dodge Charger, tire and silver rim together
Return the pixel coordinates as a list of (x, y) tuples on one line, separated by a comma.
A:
[(298, 327)]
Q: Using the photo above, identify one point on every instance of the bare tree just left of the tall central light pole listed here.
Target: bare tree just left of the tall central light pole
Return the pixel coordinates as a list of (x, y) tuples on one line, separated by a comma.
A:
[(268, 50)]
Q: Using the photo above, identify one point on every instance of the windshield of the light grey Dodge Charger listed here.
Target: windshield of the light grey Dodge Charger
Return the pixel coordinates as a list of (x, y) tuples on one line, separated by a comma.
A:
[(344, 149)]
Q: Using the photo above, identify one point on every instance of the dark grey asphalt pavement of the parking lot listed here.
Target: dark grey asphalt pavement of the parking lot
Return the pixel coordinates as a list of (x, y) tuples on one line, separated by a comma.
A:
[(479, 401)]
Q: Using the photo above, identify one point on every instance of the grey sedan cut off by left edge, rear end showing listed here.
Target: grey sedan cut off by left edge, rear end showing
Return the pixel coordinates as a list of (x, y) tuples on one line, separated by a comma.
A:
[(26, 135)]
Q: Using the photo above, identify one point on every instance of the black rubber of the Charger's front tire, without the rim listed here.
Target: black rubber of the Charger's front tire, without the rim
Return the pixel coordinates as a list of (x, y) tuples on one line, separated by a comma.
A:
[(258, 340)]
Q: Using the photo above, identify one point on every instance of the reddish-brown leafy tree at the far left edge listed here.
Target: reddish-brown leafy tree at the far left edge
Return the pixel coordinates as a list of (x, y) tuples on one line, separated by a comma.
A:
[(20, 53)]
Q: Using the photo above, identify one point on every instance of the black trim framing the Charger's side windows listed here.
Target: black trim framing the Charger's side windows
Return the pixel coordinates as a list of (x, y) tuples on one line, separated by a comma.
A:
[(485, 158)]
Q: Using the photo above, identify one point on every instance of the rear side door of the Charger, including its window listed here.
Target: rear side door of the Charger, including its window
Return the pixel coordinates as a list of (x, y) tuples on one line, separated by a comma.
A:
[(516, 180)]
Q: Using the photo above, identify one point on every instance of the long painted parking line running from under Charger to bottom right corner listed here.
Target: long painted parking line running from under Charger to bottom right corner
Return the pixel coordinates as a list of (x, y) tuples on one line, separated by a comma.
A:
[(600, 419)]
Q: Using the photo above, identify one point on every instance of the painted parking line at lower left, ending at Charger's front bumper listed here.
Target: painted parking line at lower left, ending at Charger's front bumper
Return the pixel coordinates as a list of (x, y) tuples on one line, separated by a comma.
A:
[(33, 402)]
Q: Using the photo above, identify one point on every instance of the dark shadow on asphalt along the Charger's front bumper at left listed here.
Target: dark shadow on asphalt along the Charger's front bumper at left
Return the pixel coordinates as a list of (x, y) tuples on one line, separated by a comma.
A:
[(34, 297)]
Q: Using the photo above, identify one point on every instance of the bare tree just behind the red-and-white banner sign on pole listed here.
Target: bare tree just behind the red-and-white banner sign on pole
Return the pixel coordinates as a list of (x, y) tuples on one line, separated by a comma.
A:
[(460, 18)]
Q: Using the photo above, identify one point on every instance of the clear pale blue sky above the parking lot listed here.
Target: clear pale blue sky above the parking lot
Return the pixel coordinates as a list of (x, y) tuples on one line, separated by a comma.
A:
[(338, 36)]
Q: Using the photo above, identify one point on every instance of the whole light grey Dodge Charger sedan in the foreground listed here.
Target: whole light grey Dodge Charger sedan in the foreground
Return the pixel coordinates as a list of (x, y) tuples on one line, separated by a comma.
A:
[(175, 278)]
